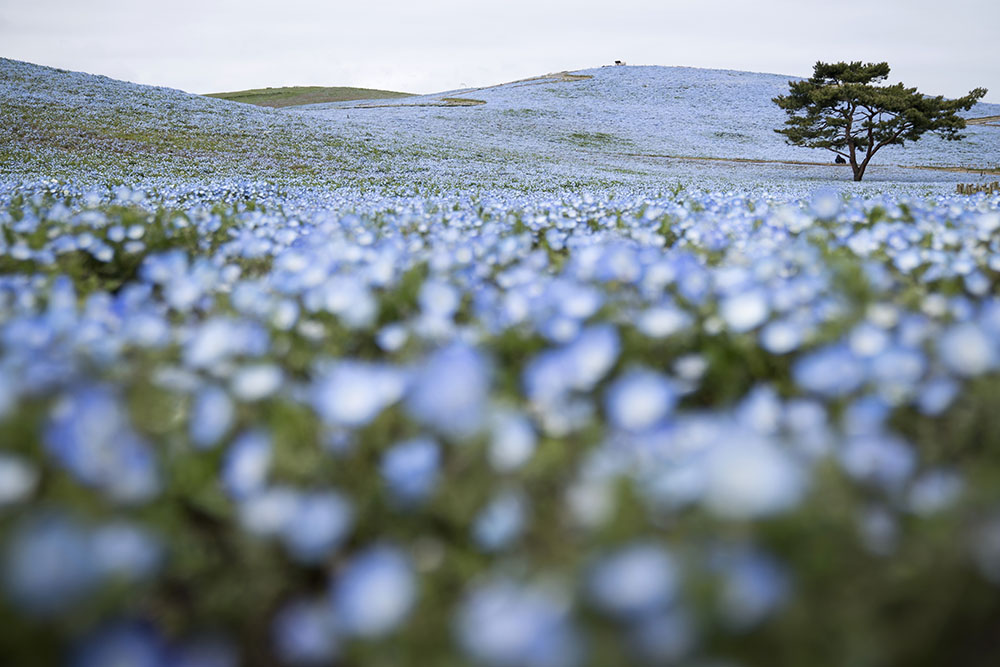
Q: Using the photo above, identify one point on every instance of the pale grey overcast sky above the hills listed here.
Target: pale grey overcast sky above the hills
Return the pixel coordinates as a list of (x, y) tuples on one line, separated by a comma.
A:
[(428, 46)]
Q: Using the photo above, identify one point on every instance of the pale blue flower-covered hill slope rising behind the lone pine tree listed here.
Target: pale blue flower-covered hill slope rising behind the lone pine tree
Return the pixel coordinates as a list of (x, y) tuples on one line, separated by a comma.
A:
[(672, 111)]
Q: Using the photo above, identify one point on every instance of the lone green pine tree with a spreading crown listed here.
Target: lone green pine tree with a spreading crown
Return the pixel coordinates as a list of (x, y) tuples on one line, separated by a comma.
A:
[(843, 109)]
